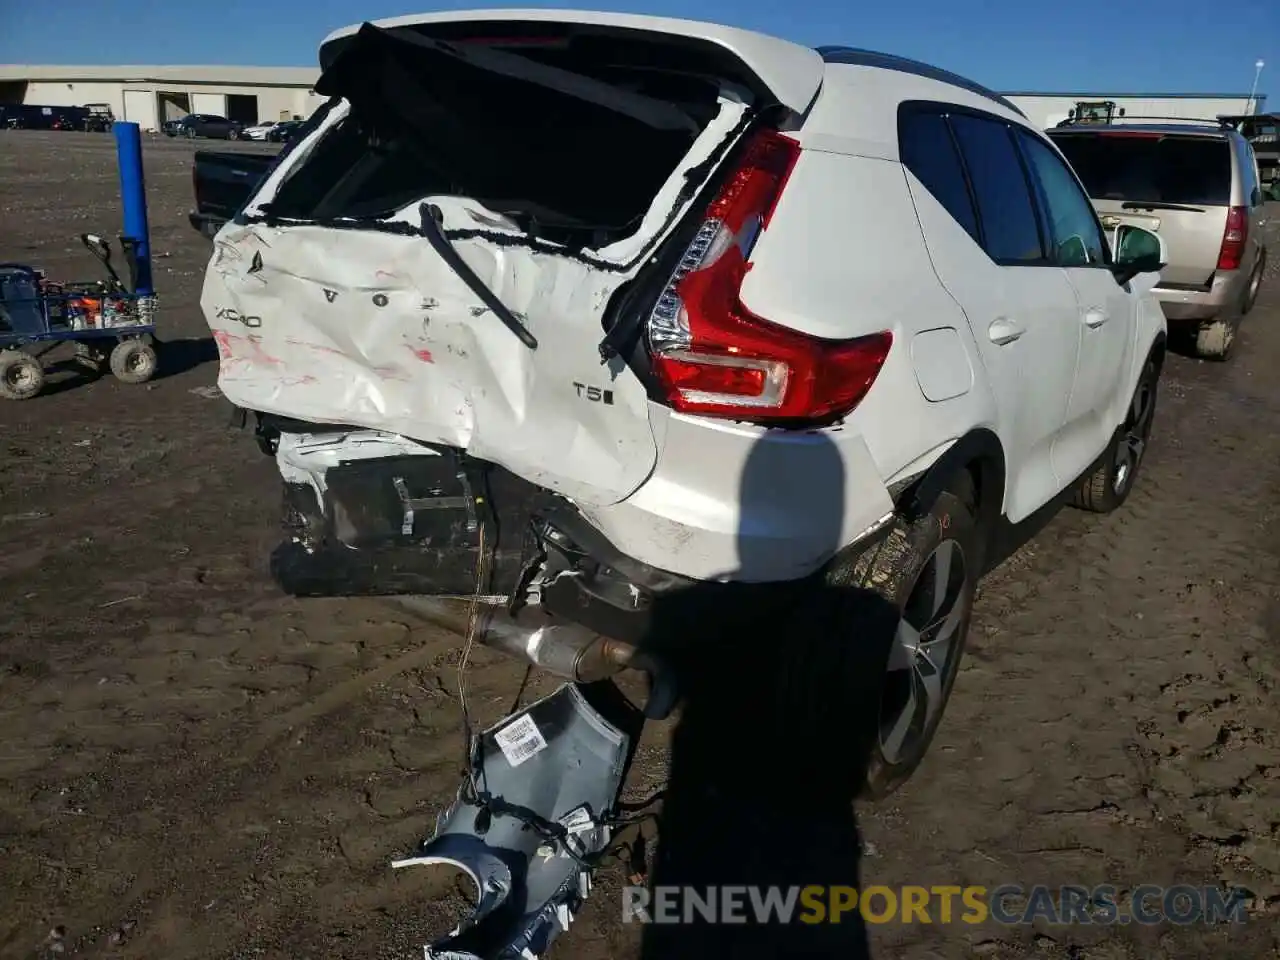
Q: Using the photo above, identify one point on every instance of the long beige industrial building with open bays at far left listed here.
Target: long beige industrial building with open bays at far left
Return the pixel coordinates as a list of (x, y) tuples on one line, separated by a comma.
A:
[(152, 95)]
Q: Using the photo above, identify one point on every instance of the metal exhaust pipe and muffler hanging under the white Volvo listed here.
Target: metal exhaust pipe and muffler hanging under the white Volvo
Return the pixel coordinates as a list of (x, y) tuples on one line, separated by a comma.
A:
[(568, 651)]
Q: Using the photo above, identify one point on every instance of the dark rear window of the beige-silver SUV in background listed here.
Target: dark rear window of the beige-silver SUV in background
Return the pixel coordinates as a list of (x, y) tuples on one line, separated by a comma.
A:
[(1171, 170)]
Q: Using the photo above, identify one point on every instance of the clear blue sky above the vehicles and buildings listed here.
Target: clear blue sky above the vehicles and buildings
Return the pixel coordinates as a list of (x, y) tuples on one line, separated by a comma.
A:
[(1068, 45)]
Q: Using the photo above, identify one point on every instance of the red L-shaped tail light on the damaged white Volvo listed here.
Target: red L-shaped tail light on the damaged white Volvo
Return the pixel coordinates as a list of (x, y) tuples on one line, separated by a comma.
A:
[(712, 356)]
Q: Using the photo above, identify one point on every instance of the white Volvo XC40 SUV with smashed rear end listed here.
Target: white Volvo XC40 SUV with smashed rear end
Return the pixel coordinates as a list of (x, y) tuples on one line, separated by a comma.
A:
[(616, 307)]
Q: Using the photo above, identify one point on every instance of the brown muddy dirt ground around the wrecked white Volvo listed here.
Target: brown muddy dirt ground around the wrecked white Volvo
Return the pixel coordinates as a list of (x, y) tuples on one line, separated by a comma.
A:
[(194, 766)]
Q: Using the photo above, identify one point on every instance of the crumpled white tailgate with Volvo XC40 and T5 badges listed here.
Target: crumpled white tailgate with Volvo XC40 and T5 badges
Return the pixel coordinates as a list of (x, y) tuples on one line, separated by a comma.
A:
[(372, 328)]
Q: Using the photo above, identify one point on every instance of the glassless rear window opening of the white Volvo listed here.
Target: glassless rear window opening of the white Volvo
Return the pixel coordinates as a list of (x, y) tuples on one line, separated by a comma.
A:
[(563, 166)]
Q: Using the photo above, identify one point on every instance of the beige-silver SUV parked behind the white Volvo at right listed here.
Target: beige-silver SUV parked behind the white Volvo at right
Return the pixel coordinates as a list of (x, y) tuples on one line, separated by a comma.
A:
[(1197, 186)]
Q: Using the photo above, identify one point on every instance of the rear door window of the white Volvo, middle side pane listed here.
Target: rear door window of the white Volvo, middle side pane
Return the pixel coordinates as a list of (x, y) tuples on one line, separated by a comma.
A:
[(1009, 227)]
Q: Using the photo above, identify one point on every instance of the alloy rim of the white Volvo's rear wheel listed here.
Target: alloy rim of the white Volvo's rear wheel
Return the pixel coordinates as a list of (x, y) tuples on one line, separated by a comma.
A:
[(926, 644)]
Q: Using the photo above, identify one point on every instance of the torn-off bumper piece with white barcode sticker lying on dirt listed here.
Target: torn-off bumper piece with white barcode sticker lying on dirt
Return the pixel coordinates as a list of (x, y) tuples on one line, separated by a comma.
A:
[(563, 761)]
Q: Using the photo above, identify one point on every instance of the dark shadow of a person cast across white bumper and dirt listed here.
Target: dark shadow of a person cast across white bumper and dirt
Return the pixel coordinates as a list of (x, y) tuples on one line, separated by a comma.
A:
[(776, 724)]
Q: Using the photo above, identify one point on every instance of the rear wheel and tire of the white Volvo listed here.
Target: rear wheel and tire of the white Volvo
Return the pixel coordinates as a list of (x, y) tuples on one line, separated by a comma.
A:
[(929, 573)]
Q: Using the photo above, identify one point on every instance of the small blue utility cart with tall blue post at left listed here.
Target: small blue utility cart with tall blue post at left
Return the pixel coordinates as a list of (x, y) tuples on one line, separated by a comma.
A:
[(111, 321)]
